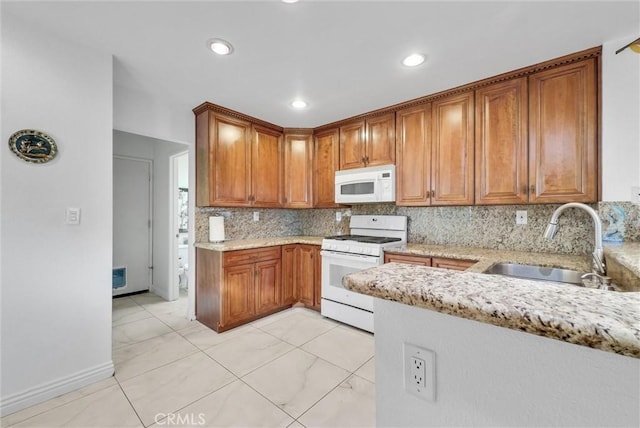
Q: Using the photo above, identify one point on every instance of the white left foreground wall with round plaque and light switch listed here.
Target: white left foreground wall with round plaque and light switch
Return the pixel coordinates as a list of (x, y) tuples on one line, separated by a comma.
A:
[(56, 278)]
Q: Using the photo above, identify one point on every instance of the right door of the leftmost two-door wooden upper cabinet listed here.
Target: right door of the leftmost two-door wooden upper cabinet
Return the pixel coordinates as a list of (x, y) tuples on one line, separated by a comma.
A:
[(266, 170)]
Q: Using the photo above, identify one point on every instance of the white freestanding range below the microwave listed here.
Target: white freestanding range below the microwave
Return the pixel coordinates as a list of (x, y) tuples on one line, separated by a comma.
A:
[(345, 254)]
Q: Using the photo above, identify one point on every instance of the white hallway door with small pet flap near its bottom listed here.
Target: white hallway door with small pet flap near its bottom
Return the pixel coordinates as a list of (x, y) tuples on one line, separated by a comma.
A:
[(132, 220)]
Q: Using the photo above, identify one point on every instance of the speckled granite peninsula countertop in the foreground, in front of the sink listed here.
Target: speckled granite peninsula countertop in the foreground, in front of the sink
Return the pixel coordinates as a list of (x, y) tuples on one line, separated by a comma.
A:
[(605, 320)]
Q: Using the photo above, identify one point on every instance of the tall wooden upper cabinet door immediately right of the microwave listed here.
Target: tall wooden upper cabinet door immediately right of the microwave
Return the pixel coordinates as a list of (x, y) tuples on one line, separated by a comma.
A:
[(413, 156)]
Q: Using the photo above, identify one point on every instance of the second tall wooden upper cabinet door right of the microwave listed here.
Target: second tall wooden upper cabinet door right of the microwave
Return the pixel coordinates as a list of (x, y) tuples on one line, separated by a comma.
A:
[(452, 150)]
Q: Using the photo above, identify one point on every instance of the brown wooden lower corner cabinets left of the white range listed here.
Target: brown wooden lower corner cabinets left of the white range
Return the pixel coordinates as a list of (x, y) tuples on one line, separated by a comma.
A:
[(236, 287)]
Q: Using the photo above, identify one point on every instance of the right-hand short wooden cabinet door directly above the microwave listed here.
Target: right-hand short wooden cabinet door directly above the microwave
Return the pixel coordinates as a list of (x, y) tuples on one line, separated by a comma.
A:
[(380, 140)]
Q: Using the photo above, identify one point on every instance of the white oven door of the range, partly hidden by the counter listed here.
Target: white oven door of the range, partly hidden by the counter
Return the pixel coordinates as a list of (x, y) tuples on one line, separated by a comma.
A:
[(335, 265)]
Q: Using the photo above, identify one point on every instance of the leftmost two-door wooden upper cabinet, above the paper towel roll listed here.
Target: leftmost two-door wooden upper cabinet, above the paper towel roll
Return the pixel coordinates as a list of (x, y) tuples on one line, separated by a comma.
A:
[(238, 164)]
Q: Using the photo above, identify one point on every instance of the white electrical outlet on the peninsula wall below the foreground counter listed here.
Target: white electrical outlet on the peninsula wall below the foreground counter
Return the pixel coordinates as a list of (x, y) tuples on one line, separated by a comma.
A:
[(419, 371)]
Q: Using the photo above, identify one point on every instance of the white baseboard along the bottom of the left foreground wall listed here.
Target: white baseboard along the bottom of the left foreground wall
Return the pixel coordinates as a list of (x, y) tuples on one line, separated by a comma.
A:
[(60, 386)]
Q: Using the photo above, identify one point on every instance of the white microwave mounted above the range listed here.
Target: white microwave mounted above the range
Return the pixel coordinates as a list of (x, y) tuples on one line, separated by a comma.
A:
[(366, 185)]
